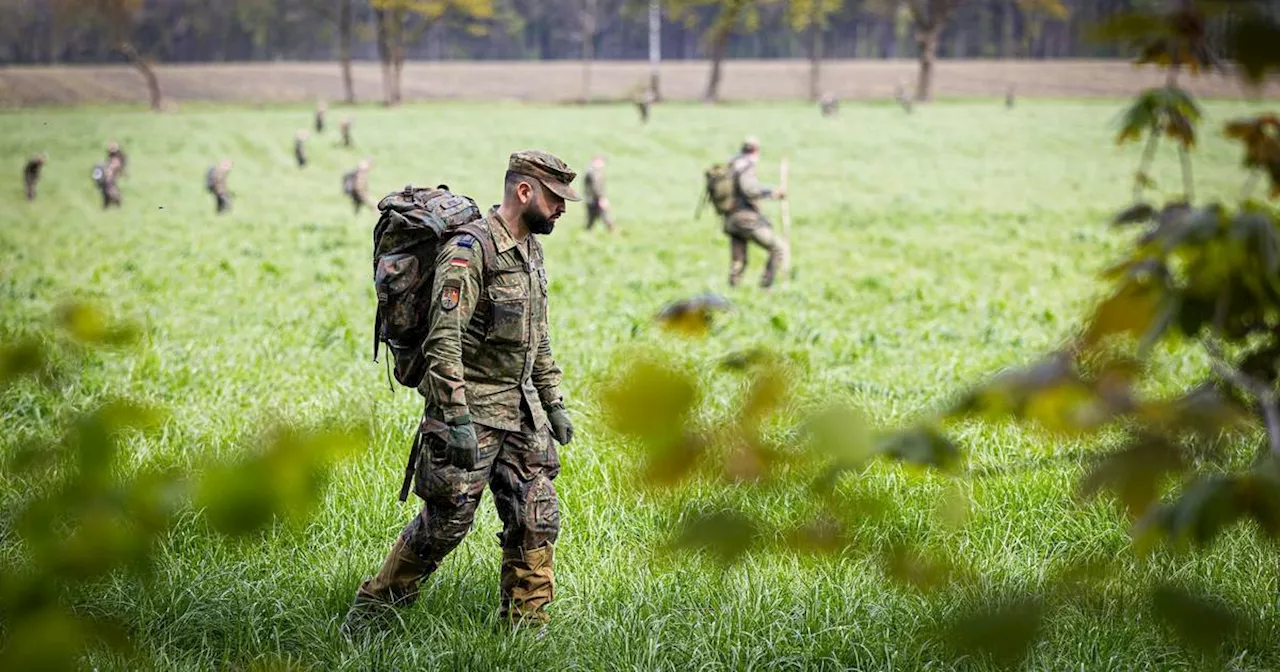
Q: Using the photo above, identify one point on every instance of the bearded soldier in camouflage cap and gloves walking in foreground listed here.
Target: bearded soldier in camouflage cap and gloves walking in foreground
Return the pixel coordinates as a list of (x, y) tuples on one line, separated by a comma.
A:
[(493, 404)]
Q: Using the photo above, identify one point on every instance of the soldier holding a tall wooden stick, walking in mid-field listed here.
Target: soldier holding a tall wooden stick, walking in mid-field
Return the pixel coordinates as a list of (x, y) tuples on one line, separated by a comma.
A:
[(746, 225)]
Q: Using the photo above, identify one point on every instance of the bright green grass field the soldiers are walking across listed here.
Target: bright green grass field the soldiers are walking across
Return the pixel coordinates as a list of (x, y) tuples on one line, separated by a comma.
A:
[(931, 250)]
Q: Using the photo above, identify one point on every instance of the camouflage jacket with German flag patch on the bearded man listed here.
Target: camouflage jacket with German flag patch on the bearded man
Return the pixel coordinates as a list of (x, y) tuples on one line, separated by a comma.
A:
[(488, 348)]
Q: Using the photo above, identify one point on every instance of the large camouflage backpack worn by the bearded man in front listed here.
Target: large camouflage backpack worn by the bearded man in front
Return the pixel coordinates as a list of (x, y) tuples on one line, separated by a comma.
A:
[(413, 225)]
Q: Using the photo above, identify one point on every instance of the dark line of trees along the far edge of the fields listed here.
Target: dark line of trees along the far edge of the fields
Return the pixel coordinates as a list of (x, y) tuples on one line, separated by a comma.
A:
[(394, 31)]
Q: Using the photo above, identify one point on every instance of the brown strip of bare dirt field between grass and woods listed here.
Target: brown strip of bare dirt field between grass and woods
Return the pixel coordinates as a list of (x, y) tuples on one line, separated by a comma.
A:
[(559, 81)]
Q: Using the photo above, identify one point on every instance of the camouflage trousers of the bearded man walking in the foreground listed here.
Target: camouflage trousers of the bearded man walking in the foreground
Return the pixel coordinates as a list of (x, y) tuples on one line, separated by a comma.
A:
[(519, 468)]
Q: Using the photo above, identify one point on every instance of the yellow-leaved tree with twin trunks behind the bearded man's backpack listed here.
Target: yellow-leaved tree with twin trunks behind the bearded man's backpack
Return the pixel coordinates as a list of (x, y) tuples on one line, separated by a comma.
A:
[(404, 22)]
